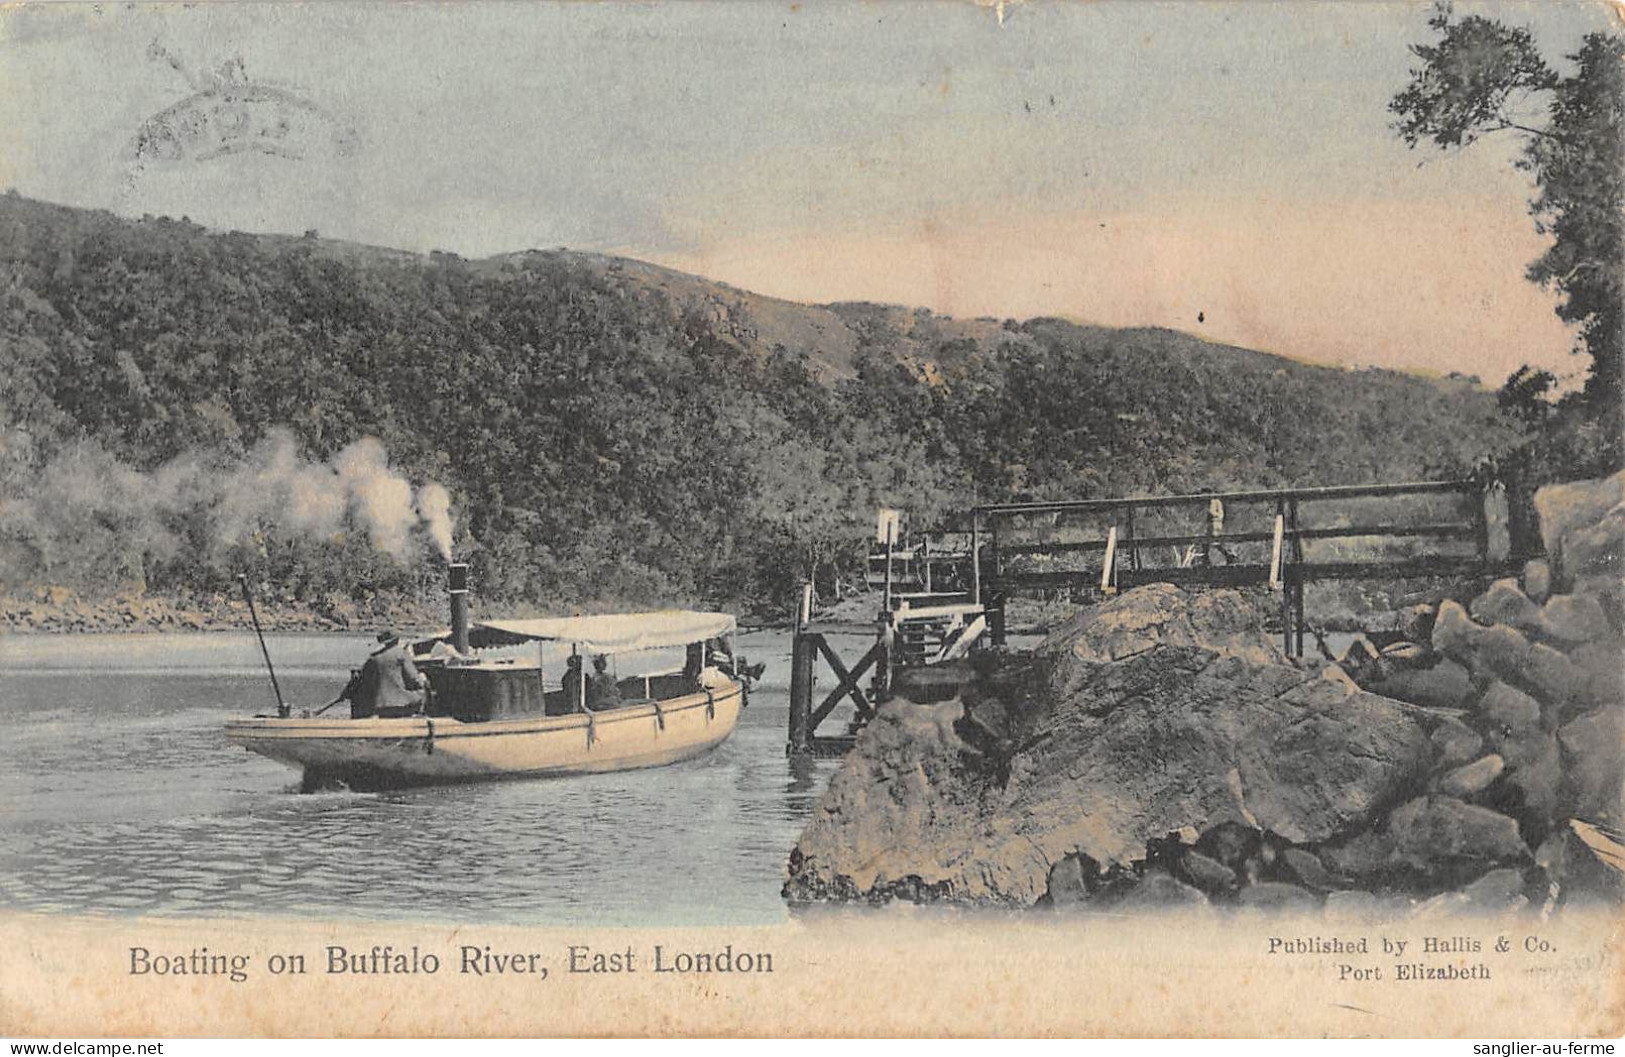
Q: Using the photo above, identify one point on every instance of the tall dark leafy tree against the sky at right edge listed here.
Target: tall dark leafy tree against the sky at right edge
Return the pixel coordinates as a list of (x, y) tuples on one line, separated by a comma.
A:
[(1481, 79)]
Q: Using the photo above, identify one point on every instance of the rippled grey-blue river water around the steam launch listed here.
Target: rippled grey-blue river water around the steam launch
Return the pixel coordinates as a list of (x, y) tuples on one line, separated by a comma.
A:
[(121, 796)]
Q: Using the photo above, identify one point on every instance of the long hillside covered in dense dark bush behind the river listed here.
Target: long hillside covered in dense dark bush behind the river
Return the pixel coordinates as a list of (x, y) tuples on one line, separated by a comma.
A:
[(609, 432)]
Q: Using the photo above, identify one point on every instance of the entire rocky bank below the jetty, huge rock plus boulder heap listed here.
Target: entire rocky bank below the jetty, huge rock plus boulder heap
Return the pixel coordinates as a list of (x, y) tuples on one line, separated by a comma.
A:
[(1158, 750)]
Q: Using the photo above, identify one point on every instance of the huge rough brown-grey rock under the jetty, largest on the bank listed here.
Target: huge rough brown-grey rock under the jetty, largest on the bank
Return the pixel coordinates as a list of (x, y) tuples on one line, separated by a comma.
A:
[(1153, 713)]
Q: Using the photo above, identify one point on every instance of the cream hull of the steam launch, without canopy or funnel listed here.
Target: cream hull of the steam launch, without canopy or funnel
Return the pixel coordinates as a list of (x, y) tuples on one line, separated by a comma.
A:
[(420, 750)]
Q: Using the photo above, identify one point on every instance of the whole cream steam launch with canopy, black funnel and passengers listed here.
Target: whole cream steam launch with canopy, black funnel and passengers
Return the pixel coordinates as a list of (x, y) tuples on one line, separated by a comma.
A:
[(516, 700)]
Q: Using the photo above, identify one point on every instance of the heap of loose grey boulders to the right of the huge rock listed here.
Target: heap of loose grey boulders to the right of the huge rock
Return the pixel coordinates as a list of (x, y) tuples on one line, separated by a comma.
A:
[(1527, 687)]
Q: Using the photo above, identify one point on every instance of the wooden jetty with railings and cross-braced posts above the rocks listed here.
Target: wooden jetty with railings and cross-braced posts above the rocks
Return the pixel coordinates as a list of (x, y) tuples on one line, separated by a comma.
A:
[(940, 606)]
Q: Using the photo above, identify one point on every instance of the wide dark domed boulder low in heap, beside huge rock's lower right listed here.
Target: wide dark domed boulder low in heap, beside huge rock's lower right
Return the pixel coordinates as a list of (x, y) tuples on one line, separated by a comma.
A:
[(1436, 840)]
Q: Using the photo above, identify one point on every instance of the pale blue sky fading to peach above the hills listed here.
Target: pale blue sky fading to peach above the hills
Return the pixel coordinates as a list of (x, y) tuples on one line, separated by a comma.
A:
[(1228, 170)]
